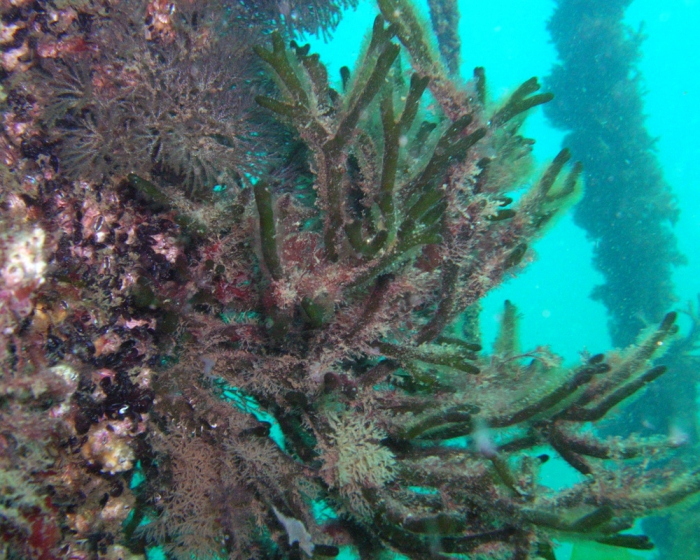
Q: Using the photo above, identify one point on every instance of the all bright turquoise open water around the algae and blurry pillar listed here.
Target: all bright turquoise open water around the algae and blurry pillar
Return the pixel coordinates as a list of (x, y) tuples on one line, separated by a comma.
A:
[(509, 38)]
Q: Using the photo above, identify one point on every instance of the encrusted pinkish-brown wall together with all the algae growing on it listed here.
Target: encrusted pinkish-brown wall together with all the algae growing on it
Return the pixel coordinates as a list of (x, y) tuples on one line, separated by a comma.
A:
[(244, 323)]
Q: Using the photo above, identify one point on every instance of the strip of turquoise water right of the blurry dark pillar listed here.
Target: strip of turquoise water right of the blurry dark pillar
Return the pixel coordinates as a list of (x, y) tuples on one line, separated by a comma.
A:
[(671, 70)]
